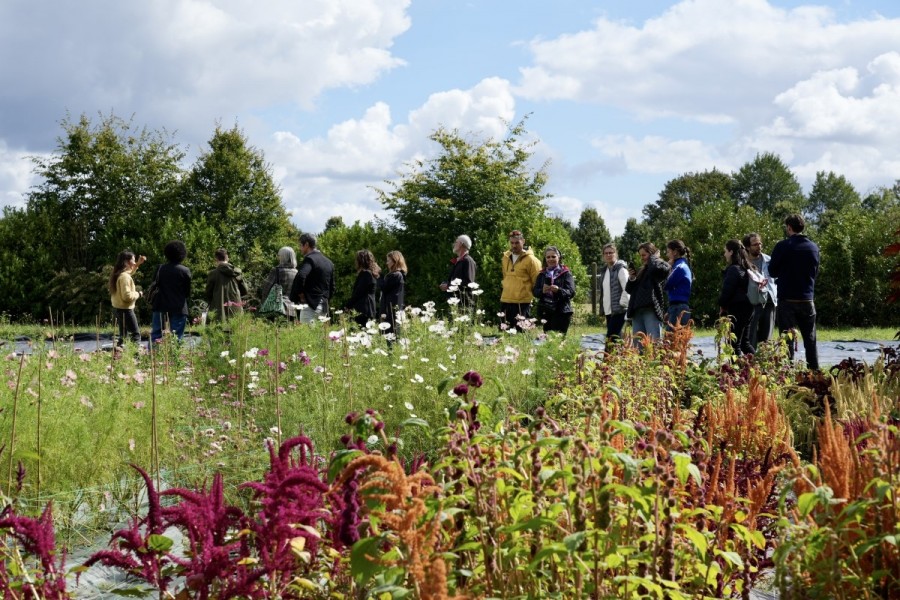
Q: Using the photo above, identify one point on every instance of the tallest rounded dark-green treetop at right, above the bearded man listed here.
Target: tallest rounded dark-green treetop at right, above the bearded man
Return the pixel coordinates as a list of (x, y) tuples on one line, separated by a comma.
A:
[(767, 185)]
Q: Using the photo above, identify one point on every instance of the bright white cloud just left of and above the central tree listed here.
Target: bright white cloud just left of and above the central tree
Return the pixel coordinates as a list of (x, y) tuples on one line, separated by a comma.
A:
[(334, 174)]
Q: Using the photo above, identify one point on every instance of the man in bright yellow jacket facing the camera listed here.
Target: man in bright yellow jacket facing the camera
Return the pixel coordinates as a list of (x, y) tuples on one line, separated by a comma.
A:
[(520, 271)]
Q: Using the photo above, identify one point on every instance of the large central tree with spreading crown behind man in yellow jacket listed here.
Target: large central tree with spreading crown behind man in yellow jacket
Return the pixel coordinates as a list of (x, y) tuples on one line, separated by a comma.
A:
[(483, 189)]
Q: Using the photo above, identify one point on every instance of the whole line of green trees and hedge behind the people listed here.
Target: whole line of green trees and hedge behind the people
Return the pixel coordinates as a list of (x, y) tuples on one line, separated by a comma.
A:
[(111, 185)]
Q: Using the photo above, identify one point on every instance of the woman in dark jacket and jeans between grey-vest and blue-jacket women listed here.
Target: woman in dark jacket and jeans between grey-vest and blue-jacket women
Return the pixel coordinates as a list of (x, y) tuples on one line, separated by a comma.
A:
[(647, 304)]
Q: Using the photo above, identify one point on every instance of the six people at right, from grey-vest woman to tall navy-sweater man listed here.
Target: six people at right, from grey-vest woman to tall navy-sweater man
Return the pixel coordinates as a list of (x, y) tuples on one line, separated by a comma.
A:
[(758, 290)]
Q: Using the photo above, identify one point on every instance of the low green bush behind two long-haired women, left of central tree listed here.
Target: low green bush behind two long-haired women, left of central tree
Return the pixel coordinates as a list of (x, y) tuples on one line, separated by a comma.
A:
[(340, 243)]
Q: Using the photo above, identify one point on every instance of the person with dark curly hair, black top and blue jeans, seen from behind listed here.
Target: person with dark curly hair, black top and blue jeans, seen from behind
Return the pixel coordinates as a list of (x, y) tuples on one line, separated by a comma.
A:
[(170, 305)]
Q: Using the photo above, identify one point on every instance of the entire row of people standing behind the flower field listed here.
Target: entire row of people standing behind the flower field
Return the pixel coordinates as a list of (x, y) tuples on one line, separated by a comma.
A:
[(654, 295)]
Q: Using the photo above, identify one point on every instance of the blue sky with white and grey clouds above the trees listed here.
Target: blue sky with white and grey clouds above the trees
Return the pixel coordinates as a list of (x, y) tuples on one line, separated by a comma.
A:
[(341, 95)]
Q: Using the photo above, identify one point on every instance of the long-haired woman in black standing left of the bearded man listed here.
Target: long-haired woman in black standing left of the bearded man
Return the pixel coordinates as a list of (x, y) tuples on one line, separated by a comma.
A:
[(733, 300)]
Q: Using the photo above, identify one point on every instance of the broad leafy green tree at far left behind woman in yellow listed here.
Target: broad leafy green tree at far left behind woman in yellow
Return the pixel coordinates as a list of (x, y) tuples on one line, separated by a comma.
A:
[(107, 187)]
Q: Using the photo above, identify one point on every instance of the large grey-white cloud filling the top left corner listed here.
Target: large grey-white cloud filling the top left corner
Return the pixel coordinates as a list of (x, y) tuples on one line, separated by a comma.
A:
[(185, 63)]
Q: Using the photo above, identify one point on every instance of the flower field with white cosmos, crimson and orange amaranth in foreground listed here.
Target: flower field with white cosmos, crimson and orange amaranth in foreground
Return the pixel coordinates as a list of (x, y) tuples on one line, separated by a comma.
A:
[(326, 462)]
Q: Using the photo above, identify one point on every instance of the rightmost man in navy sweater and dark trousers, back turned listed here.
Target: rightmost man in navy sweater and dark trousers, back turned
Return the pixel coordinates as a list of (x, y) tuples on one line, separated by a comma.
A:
[(795, 265)]
